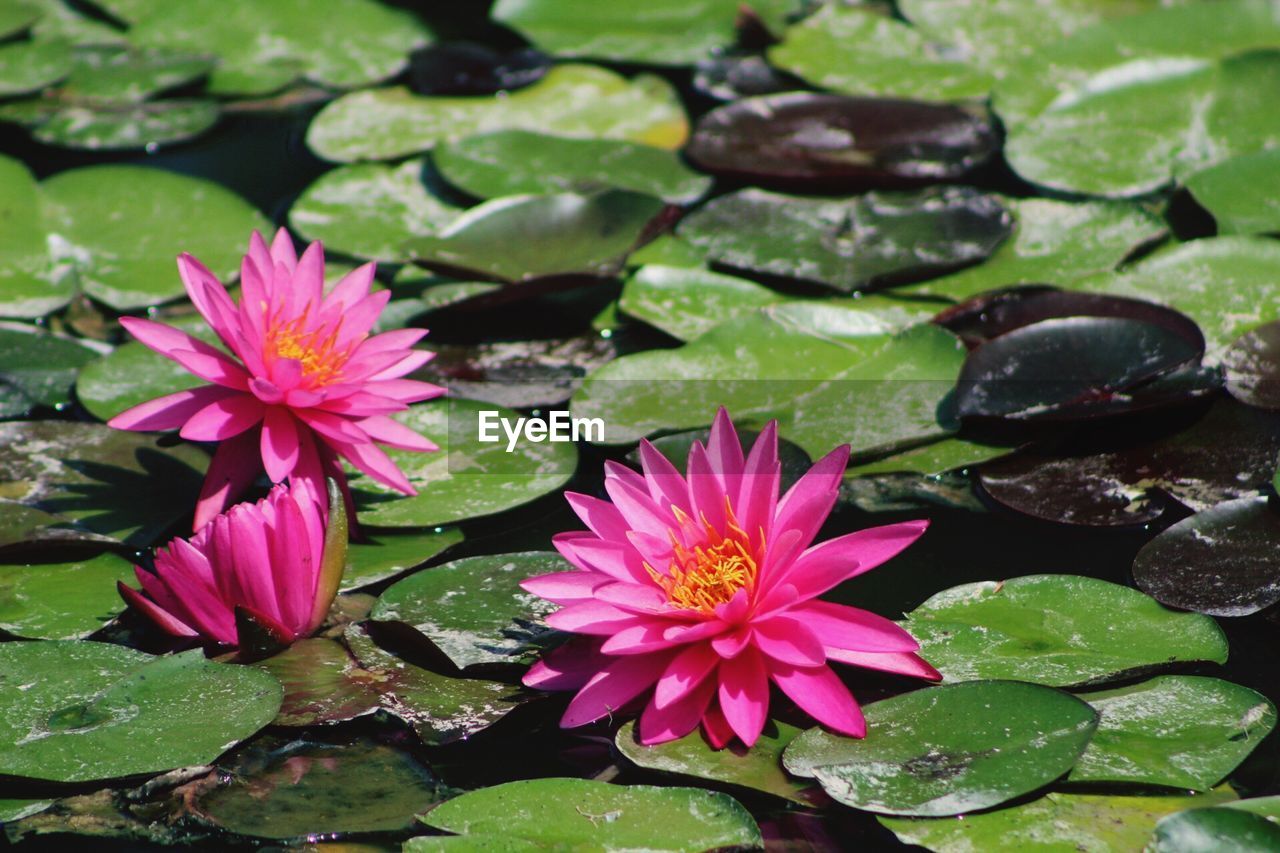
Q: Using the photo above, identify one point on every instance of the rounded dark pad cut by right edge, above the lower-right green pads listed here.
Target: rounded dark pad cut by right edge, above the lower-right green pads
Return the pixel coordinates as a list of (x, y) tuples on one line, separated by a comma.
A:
[(1220, 562)]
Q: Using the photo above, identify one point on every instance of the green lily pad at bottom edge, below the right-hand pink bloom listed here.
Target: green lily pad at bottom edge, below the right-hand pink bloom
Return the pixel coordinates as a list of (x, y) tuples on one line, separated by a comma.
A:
[(584, 814)]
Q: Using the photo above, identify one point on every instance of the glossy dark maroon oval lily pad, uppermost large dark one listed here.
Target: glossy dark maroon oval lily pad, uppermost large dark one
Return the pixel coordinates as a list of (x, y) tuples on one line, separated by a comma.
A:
[(830, 142)]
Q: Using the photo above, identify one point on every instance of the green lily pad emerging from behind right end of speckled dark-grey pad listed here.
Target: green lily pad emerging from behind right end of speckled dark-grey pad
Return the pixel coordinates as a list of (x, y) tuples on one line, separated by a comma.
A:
[(1054, 243)]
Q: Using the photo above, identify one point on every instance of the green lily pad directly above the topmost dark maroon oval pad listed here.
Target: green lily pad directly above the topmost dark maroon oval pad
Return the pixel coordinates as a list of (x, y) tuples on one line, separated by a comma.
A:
[(860, 52)]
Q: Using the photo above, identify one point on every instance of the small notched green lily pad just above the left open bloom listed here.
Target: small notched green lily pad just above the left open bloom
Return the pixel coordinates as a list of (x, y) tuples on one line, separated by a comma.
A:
[(371, 211)]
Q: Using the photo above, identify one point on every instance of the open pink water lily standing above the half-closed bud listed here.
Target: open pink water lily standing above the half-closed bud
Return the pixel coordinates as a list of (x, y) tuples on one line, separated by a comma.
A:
[(304, 385)]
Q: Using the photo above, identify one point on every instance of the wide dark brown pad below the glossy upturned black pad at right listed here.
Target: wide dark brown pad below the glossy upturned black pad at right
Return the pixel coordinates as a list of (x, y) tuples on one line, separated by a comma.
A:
[(1228, 454)]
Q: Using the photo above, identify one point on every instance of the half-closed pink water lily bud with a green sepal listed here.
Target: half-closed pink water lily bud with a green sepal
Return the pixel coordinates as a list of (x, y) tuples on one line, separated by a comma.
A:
[(272, 562)]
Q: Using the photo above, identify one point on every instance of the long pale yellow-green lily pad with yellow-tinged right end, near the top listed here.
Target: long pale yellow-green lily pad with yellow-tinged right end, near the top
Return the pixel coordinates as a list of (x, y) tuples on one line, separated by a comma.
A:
[(572, 101)]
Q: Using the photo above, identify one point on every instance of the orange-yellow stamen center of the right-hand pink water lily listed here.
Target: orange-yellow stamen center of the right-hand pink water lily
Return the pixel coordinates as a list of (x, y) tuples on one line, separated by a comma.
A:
[(707, 576)]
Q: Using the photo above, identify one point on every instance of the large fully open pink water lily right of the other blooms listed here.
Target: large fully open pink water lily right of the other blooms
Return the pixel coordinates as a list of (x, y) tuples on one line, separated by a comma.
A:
[(703, 589)]
